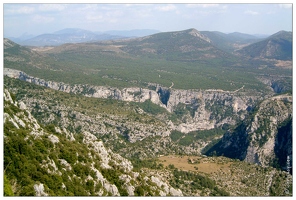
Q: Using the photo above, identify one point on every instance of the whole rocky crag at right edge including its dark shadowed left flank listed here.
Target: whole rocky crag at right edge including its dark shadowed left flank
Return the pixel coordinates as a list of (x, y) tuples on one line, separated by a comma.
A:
[(265, 138)]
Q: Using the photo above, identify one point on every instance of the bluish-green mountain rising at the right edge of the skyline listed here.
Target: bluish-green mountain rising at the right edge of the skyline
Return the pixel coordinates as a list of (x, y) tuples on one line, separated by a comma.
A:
[(277, 46)]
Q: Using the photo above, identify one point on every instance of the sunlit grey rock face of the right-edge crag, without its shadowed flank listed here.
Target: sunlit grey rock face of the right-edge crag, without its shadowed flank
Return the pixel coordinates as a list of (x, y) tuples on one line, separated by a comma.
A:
[(272, 114)]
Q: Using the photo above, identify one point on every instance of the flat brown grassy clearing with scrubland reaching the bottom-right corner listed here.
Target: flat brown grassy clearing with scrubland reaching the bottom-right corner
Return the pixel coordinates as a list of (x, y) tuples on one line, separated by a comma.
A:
[(238, 178)]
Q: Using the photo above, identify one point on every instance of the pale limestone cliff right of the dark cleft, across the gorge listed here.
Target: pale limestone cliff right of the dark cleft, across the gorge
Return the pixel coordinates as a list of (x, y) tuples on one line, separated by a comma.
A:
[(209, 108)]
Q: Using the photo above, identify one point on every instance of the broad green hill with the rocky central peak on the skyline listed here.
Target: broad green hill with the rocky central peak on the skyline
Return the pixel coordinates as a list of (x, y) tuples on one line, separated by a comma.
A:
[(187, 45)]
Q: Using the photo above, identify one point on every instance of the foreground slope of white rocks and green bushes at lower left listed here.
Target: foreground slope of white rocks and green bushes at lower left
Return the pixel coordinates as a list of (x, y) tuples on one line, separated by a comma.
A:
[(50, 161)]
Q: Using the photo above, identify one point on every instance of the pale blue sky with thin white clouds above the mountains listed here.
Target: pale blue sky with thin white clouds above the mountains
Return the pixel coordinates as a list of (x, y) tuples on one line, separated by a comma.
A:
[(248, 18)]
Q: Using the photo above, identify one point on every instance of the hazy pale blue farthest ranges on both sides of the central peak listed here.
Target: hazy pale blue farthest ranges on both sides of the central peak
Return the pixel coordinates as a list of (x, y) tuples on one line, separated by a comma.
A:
[(75, 35)]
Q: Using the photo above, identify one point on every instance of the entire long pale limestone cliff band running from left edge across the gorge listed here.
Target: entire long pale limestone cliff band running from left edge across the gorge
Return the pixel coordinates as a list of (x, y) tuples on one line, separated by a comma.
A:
[(202, 109)]
